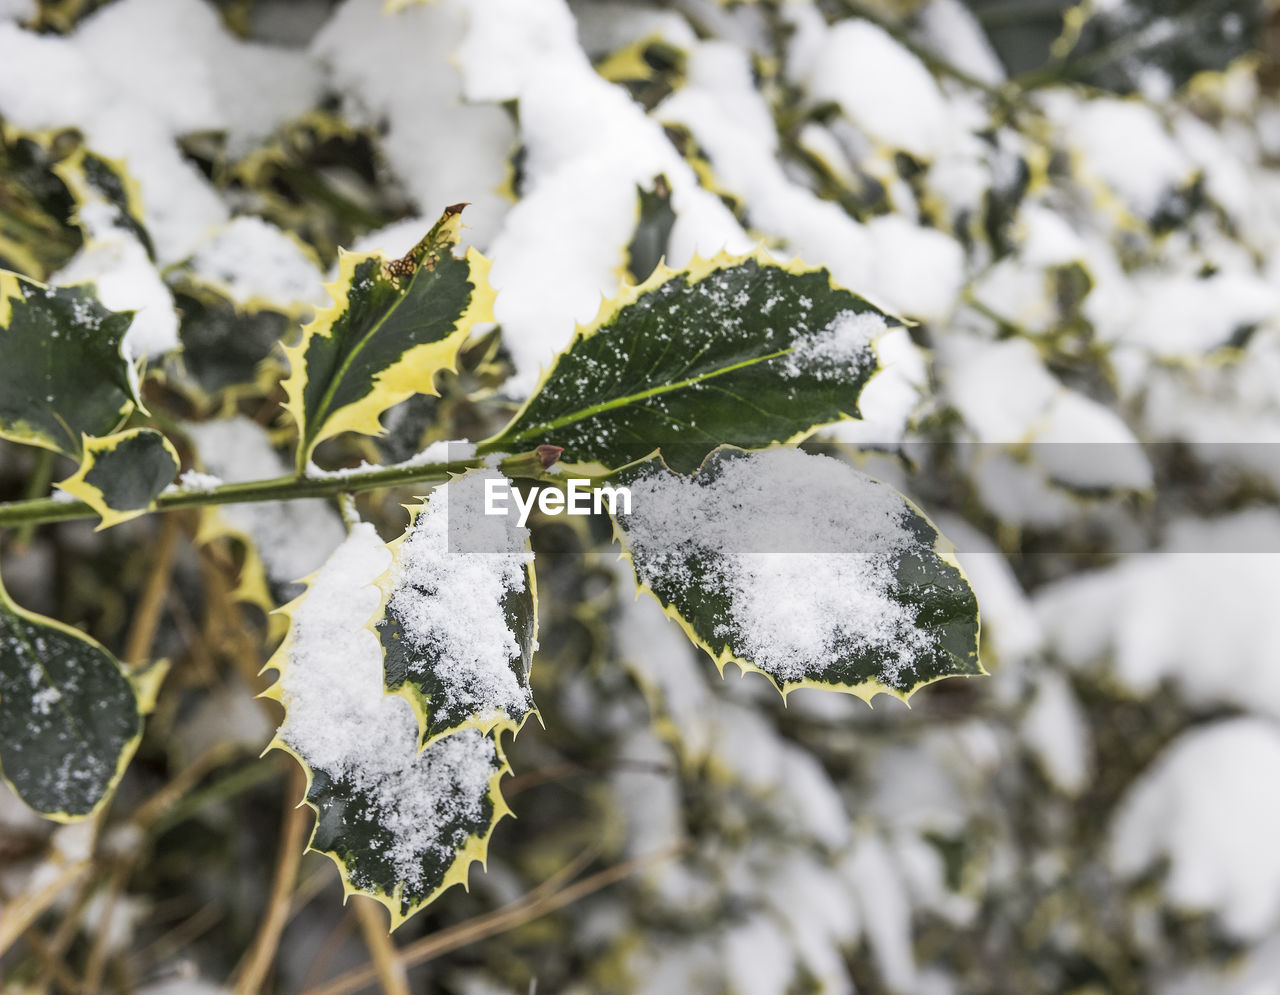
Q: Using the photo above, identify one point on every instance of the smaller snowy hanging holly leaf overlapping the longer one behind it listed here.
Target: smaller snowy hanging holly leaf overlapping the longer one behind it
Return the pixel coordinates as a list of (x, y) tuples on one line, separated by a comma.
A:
[(459, 626)]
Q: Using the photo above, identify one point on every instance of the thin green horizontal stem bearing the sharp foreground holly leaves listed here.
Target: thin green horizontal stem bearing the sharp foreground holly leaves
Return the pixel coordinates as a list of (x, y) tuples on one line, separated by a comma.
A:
[(280, 489)]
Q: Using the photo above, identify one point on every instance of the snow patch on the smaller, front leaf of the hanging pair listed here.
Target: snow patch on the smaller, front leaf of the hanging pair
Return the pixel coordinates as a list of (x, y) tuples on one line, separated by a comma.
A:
[(449, 585)]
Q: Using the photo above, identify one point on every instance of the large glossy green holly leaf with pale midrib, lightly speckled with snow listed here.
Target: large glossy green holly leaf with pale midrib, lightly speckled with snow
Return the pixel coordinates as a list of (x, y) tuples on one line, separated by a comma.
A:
[(737, 350)]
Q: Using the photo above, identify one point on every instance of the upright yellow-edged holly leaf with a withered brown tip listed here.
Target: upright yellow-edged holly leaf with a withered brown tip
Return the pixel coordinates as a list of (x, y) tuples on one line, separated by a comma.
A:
[(392, 328)]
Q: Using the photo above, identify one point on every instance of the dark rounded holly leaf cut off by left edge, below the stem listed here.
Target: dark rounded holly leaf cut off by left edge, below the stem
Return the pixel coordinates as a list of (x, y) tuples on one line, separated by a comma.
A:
[(68, 715)]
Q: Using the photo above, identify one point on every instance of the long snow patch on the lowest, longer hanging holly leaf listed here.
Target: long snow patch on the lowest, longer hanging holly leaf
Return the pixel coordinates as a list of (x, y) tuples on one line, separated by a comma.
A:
[(342, 723)]
